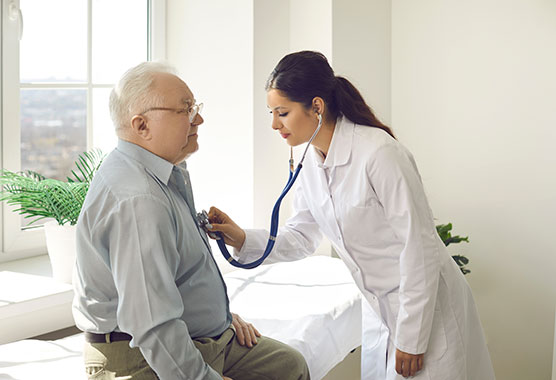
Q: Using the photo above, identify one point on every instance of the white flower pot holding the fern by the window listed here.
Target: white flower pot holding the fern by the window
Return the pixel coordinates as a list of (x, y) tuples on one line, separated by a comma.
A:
[(60, 242)]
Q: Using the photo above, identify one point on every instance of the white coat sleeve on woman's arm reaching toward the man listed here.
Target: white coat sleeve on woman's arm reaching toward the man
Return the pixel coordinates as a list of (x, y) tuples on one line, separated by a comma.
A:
[(297, 239)]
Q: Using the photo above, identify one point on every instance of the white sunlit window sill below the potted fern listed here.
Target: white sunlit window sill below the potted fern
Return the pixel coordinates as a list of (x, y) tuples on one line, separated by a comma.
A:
[(31, 301)]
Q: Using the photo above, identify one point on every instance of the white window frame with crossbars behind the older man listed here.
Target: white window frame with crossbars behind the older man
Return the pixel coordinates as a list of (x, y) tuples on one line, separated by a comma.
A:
[(16, 243)]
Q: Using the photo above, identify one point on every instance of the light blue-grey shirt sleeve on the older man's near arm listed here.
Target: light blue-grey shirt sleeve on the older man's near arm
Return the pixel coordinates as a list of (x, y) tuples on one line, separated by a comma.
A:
[(141, 240)]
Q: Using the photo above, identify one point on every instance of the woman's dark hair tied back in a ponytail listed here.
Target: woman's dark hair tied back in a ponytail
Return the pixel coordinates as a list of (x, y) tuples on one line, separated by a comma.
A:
[(304, 75)]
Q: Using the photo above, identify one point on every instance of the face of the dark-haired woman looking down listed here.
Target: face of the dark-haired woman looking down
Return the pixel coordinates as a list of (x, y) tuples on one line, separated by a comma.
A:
[(295, 123)]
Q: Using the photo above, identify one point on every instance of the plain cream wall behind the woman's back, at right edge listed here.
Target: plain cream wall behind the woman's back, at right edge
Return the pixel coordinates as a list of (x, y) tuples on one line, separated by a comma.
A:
[(474, 98)]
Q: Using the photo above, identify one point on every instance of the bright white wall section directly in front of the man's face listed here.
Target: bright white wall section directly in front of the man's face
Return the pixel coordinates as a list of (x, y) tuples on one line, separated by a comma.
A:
[(211, 44)]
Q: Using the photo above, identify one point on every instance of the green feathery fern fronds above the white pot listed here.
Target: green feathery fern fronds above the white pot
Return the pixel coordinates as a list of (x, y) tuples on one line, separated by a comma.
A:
[(38, 197)]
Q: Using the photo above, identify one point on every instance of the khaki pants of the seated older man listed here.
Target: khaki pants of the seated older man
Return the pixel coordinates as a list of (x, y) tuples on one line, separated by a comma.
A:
[(267, 360)]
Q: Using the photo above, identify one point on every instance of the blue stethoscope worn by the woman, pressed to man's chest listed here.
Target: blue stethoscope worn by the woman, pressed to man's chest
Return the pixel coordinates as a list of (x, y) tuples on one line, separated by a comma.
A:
[(204, 223)]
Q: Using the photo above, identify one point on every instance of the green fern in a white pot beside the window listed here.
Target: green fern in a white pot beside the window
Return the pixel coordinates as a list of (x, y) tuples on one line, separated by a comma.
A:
[(38, 197)]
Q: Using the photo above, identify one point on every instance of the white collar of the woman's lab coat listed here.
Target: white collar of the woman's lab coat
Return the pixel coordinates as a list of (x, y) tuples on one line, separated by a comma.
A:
[(340, 146)]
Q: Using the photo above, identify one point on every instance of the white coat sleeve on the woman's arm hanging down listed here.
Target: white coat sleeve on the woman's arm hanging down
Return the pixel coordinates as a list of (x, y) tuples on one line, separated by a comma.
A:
[(393, 175)]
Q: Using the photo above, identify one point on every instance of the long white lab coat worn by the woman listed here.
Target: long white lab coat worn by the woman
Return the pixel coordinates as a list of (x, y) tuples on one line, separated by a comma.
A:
[(367, 198)]
